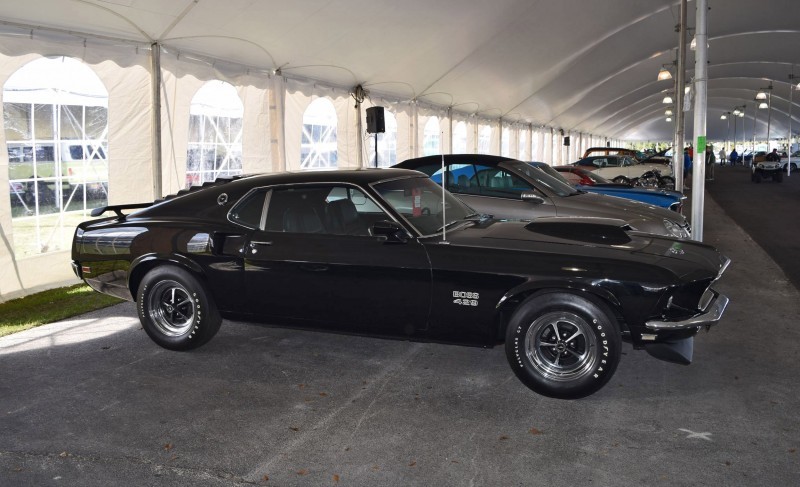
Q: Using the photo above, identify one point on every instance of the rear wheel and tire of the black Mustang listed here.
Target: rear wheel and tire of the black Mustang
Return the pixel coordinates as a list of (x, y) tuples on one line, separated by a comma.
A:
[(176, 310)]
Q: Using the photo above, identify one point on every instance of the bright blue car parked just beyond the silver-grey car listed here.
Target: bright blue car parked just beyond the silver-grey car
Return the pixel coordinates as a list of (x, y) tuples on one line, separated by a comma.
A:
[(587, 181)]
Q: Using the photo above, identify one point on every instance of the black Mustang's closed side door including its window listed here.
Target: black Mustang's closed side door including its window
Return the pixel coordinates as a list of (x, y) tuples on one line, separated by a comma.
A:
[(311, 258)]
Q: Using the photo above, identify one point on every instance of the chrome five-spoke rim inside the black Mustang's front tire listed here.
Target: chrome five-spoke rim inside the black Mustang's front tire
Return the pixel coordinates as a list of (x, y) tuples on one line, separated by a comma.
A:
[(561, 346)]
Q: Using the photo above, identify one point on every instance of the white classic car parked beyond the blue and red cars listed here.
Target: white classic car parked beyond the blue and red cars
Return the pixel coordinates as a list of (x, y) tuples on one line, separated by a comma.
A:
[(627, 170)]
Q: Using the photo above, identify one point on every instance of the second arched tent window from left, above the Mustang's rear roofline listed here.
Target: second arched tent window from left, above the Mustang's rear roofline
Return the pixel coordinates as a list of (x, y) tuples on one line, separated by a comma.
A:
[(215, 134)]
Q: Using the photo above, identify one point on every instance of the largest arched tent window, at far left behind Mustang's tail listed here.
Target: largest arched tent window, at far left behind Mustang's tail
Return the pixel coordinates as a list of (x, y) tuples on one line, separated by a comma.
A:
[(55, 116)]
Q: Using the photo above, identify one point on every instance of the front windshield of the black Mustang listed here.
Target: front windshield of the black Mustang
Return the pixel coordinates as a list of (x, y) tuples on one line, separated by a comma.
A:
[(419, 201)]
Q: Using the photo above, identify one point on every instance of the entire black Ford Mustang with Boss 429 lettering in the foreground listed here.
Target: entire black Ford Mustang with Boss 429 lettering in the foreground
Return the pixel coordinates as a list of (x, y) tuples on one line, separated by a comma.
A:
[(387, 252)]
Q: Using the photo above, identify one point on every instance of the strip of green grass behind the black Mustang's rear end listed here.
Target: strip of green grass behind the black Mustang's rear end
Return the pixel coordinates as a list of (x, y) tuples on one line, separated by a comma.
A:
[(49, 306)]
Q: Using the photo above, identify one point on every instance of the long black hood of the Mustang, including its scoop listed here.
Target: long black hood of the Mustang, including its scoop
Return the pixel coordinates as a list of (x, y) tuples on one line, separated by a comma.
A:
[(595, 240)]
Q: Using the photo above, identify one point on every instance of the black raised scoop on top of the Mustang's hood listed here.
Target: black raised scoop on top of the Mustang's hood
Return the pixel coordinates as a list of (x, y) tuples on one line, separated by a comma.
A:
[(599, 231)]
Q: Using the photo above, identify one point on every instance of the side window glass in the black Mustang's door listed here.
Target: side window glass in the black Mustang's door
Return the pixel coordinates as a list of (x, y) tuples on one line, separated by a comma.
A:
[(324, 209)]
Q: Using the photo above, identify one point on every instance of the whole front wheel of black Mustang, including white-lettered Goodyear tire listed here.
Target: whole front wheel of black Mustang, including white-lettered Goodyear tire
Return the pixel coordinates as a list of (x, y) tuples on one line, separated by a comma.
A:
[(563, 345)]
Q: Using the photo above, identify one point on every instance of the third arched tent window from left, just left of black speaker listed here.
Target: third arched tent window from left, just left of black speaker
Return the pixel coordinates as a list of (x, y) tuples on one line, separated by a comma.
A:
[(318, 147)]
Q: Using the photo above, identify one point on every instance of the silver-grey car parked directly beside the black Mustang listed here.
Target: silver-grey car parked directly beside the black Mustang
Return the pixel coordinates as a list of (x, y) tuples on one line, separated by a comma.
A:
[(511, 189)]
